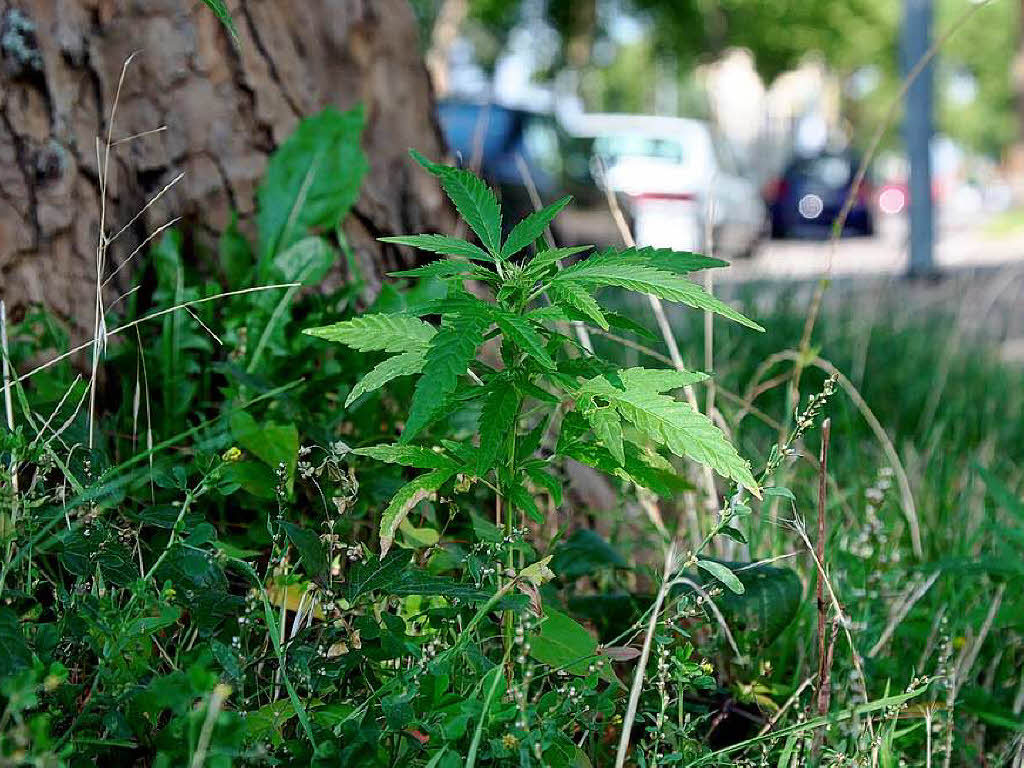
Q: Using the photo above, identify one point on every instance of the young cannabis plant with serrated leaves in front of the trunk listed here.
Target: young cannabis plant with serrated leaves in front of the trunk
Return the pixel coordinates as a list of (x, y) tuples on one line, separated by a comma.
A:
[(540, 387)]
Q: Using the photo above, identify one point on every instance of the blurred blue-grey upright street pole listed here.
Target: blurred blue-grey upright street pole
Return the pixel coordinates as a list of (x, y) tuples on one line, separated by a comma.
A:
[(916, 39)]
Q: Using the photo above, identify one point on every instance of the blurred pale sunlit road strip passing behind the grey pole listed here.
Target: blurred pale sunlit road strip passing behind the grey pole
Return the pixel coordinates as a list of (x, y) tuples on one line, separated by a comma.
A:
[(960, 245)]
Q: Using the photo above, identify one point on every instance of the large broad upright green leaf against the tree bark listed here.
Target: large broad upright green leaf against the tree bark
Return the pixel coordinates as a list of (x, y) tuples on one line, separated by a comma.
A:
[(313, 180)]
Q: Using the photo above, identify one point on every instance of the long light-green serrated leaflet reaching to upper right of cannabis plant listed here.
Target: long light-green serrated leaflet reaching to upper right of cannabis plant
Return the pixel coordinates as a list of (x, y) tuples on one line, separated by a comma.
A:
[(599, 271)]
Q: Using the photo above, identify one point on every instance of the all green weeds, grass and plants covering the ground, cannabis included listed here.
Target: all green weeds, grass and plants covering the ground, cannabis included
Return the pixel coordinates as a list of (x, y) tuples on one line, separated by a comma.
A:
[(376, 542)]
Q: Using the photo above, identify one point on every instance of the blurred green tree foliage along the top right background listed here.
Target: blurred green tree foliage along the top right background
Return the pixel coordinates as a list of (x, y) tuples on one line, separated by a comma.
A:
[(850, 34)]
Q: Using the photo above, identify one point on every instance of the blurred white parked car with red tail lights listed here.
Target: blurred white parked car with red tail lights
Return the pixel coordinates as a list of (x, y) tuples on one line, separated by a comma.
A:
[(678, 176)]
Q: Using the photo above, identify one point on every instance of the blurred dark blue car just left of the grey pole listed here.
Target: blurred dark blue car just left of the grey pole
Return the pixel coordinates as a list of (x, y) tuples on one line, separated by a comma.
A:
[(807, 199)]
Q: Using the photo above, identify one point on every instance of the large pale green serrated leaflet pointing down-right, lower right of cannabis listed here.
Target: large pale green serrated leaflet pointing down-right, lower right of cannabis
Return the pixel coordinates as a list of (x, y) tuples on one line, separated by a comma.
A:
[(687, 433)]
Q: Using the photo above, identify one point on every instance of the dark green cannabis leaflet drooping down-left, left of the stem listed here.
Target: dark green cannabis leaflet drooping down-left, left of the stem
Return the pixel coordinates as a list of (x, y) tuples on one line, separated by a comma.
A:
[(451, 352)]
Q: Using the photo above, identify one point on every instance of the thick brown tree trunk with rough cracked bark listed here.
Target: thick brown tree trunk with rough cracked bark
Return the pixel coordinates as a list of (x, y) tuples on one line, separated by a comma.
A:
[(225, 109)]
